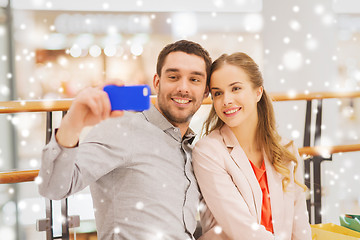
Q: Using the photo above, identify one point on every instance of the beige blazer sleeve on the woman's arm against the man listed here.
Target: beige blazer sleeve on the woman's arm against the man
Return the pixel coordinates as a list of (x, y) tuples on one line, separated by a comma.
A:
[(222, 197)]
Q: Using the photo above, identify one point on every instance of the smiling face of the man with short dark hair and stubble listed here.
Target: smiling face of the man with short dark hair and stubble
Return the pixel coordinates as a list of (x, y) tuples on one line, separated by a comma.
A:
[(181, 87)]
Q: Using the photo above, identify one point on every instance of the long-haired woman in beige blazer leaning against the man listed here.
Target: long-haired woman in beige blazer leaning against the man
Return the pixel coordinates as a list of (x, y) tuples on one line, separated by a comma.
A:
[(248, 175)]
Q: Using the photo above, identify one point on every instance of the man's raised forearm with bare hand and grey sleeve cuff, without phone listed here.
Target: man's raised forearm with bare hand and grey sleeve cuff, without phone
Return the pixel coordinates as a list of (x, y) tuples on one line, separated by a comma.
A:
[(60, 175)]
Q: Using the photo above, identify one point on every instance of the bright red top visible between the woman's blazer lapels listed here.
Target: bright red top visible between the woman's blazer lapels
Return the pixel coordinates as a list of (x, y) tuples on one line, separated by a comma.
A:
[(266, 218)]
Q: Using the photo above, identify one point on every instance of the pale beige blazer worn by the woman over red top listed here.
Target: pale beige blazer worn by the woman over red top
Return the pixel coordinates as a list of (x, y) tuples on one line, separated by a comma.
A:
[(232, 196)]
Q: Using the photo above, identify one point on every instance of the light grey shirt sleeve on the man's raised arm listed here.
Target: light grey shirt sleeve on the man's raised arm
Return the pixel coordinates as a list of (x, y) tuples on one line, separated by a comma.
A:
[(65, 171)]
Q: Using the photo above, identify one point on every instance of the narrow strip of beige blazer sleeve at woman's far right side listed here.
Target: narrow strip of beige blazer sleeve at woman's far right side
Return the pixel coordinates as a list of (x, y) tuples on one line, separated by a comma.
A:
[(301, 226)]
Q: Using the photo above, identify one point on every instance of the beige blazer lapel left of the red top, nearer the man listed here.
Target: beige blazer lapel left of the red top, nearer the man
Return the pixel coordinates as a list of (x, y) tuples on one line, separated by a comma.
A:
[(240, 159)]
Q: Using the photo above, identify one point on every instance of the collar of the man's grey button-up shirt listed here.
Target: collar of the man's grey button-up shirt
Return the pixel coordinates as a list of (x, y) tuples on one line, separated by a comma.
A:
[(155, 117)]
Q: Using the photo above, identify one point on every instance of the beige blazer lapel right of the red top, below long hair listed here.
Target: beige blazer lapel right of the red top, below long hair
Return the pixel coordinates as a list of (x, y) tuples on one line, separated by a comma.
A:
[(276, 194)]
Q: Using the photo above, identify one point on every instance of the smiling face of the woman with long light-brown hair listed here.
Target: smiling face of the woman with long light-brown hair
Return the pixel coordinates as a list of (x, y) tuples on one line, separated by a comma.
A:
[(235, 99)]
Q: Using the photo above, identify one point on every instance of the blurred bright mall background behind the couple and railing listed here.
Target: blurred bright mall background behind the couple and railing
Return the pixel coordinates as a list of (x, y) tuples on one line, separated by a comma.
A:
[(51, 49)]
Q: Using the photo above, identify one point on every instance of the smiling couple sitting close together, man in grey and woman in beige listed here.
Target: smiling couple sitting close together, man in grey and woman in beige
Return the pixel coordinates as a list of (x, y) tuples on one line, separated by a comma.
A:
[(140, 165)]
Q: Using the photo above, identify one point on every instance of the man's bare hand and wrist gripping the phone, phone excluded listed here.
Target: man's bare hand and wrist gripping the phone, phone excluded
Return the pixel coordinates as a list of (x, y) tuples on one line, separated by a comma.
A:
[(91, 106)]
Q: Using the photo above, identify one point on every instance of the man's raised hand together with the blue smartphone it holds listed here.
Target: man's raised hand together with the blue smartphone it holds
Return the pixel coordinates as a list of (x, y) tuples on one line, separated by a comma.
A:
[(93, 105)]
